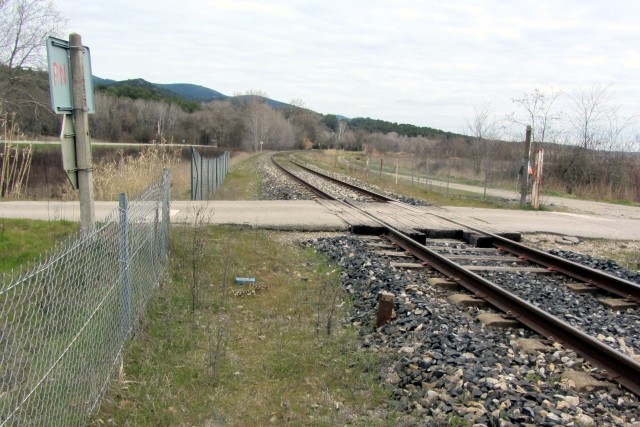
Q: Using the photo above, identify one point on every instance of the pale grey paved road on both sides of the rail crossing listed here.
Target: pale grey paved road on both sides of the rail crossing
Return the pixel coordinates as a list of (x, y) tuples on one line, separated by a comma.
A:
[(310, 215)]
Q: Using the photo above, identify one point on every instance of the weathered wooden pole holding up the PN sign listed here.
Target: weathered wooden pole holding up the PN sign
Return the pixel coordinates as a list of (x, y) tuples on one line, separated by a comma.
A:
[(81, 125)]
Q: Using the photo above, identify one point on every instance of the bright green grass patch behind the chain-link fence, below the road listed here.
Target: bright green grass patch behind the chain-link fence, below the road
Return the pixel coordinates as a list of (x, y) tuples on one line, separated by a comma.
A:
[(22, 241)]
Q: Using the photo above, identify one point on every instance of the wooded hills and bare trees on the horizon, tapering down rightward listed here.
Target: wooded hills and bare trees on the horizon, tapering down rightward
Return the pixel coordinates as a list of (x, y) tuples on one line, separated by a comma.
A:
[(140, 111)]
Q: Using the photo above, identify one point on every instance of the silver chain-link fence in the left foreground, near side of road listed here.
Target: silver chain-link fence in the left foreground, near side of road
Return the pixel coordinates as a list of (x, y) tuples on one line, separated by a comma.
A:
[(64, 322)]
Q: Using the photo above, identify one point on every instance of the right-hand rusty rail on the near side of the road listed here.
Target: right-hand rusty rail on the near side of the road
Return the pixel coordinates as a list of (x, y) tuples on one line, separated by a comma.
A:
[(615, 285)]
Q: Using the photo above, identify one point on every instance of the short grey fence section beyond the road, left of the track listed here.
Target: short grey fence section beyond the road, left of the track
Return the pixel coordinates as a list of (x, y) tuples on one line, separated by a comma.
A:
[(207, 174)]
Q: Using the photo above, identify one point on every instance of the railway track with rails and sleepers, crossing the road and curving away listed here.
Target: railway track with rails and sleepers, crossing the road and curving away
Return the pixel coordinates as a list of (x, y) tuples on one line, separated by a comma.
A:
[(472, 268)]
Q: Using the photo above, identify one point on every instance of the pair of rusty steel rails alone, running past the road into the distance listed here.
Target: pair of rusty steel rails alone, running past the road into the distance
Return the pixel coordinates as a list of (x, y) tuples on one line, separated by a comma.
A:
[(616, 365)]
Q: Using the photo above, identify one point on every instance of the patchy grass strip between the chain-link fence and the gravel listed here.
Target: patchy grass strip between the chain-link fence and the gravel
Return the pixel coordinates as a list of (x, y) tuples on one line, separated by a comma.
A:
[(278, 367)]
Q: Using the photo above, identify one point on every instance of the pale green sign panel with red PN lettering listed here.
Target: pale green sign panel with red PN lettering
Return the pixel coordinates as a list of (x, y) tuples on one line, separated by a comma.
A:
[(60, 77)]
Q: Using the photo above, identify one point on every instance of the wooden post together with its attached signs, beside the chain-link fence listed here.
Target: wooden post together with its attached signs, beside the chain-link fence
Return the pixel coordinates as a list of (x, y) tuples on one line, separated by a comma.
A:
[(71, 87)]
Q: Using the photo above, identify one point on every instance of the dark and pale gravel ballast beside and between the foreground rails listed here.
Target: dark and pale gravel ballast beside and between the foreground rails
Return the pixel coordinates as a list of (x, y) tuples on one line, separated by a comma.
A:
[(442, 363)]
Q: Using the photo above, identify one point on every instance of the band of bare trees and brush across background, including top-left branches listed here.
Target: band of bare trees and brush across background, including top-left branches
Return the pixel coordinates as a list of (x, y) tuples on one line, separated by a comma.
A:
[(590, 147)]
